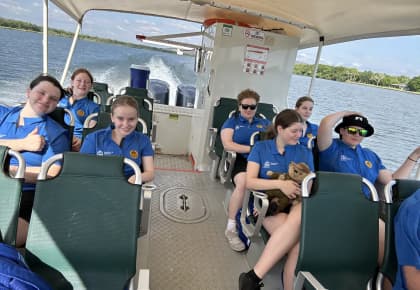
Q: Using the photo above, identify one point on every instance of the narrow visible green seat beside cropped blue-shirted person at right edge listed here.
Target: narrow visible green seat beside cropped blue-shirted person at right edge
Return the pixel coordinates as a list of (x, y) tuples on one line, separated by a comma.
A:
[(395, 193)]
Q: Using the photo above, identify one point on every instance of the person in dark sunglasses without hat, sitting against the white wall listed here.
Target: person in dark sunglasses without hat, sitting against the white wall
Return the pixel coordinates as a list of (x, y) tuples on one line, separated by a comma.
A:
[(235, 135)]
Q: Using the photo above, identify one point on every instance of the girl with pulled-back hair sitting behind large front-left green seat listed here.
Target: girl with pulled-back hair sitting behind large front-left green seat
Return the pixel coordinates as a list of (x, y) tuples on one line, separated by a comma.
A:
[(122, 139)]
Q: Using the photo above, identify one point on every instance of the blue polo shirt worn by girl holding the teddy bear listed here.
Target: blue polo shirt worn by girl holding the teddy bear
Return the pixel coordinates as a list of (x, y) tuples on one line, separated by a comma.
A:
[(265, 153)]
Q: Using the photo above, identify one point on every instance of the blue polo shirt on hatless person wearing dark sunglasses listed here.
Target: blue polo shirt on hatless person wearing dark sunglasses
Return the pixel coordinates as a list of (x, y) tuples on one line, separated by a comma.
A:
[(242, 129)]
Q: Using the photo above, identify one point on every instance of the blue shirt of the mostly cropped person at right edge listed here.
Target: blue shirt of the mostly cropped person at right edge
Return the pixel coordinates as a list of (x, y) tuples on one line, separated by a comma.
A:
[(407, 237)]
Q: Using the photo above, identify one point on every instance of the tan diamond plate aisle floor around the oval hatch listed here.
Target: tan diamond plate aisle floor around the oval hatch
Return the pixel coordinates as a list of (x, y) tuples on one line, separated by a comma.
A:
[(191, 256)]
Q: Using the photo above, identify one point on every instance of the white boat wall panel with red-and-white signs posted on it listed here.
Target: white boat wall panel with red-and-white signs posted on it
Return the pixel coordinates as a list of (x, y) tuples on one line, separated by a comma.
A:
[(241, 58)]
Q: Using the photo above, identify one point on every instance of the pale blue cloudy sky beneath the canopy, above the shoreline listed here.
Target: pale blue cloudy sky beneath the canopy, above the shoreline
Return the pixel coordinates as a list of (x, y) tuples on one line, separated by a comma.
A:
[(393, 56)]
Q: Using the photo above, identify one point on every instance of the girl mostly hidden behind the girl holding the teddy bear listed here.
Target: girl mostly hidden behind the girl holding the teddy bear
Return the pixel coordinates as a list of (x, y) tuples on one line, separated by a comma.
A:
[(304, 106)]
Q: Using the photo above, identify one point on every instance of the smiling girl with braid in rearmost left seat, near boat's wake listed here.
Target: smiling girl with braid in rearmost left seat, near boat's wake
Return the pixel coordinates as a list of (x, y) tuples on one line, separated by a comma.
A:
[(79, 104)]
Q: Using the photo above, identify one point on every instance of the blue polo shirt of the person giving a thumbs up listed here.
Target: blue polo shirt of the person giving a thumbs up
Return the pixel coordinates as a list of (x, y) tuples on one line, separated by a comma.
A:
[(56, 140)]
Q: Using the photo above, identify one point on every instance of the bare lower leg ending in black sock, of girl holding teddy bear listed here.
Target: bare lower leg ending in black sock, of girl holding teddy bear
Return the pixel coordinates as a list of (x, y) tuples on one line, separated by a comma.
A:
[(280, 242)]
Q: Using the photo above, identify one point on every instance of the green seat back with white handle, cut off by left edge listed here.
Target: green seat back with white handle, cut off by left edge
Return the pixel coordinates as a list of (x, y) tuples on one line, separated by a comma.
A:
[(10, 193)]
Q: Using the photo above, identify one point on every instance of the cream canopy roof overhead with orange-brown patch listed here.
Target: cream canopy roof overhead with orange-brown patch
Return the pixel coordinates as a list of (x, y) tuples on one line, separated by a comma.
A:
[(334, 20)]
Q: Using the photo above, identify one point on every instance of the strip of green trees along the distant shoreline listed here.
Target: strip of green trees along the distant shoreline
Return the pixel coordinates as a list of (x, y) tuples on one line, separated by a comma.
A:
[(335, 73)]
